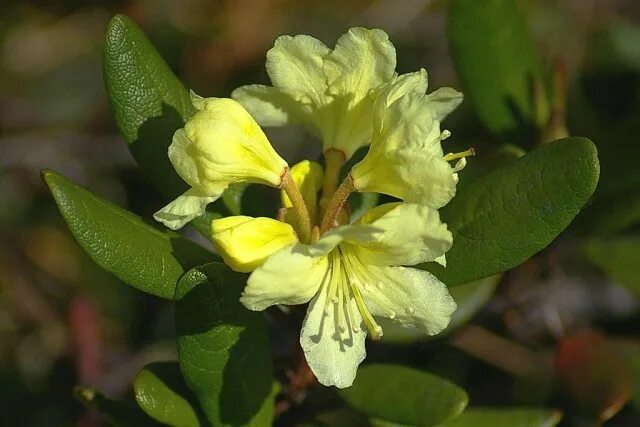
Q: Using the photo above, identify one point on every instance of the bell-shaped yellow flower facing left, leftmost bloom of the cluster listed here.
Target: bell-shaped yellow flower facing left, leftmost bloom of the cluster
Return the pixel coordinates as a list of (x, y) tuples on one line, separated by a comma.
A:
[(221, 144)]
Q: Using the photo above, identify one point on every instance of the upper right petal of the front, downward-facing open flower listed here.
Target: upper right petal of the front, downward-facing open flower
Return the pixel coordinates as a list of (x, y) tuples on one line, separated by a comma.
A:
[(412, 234)]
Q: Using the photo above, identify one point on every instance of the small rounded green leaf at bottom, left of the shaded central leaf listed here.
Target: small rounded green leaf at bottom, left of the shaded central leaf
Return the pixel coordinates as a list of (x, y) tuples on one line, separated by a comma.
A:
[(162, 394)]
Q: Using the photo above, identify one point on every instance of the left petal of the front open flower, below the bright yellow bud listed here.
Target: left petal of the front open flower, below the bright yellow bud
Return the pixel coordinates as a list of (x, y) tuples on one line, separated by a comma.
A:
[(290, 276)]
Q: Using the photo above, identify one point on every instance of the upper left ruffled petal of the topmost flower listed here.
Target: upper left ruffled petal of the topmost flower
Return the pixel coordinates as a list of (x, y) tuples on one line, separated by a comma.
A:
[(295, 66)]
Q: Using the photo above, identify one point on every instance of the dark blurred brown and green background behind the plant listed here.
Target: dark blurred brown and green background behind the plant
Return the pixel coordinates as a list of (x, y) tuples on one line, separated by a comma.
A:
[(65, 322)]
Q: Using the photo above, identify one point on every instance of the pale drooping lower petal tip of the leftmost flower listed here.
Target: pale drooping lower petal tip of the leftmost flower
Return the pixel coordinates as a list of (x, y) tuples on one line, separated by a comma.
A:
[(191, 204)]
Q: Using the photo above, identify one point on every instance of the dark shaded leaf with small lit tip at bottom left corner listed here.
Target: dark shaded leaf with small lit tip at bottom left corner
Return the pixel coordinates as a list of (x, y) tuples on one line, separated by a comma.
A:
[(119, 414)]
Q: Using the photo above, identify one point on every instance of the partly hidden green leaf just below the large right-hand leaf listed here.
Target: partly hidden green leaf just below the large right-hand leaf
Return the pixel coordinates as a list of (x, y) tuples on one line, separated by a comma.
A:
[(469, 297)]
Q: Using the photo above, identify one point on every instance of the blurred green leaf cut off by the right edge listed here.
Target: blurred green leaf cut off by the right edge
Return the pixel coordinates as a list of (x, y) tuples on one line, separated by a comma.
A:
[(618, 257)]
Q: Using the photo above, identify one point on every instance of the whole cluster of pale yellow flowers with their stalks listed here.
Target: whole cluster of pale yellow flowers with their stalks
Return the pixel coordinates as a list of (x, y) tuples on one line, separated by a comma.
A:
[(350, 272)]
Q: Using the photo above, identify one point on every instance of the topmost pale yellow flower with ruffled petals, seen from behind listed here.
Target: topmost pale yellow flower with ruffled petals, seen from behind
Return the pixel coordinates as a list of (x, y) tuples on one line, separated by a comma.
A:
[(330, 91)]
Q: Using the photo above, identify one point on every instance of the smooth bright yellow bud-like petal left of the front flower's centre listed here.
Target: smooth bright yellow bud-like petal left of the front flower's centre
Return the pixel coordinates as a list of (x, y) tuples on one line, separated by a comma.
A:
[(245, 242)]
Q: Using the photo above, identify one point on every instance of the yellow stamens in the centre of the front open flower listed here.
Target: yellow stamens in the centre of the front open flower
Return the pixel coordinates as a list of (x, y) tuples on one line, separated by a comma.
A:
[(347, 275)]
